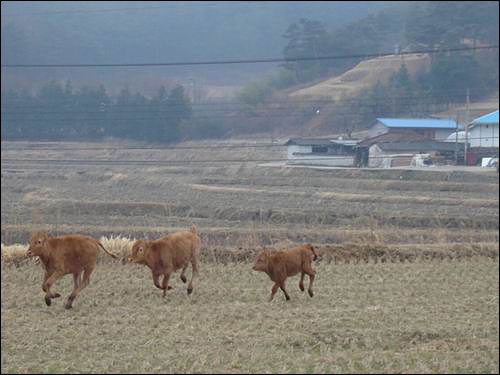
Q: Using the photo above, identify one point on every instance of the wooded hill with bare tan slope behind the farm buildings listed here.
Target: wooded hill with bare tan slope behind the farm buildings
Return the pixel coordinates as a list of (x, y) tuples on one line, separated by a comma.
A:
[(395, 86)]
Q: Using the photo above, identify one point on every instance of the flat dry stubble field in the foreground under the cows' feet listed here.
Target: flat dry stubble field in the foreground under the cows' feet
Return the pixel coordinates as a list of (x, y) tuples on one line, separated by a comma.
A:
[(423, 317)]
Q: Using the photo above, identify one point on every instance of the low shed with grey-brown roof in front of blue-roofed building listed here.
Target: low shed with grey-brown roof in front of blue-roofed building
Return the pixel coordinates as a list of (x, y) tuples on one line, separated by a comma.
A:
[(398, 154)]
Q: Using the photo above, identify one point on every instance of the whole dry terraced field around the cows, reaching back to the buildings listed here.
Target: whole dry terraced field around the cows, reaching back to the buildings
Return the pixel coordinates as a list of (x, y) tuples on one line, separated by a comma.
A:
[(408, 280)]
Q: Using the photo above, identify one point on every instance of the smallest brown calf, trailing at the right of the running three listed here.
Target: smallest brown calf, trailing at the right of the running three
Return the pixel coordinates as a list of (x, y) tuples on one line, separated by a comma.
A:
[(282, 264)]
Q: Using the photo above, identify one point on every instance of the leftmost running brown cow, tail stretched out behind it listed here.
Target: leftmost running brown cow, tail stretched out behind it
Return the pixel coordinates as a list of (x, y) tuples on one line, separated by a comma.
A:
[(62, 255)]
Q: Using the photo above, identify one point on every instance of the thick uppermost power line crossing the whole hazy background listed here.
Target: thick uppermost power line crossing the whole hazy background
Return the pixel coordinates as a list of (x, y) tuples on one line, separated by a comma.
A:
[(250, 61)]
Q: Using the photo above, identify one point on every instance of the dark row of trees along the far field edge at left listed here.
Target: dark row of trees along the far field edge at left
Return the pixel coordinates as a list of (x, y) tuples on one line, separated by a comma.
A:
[(61, 112)]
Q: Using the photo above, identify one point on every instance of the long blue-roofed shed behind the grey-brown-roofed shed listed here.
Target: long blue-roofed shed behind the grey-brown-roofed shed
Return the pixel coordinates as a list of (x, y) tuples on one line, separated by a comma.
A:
[(427, 128)]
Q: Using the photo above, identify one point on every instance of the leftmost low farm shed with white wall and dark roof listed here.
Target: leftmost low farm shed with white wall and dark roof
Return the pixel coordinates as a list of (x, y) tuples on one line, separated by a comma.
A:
[(320, 151)]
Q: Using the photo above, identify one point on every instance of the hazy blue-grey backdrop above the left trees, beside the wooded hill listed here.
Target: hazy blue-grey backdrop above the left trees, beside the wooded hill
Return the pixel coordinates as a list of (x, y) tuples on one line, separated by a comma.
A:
[(50, 32)]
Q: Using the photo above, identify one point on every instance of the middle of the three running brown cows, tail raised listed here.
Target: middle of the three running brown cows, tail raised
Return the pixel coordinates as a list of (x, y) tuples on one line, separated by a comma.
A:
[(169, 254)]
